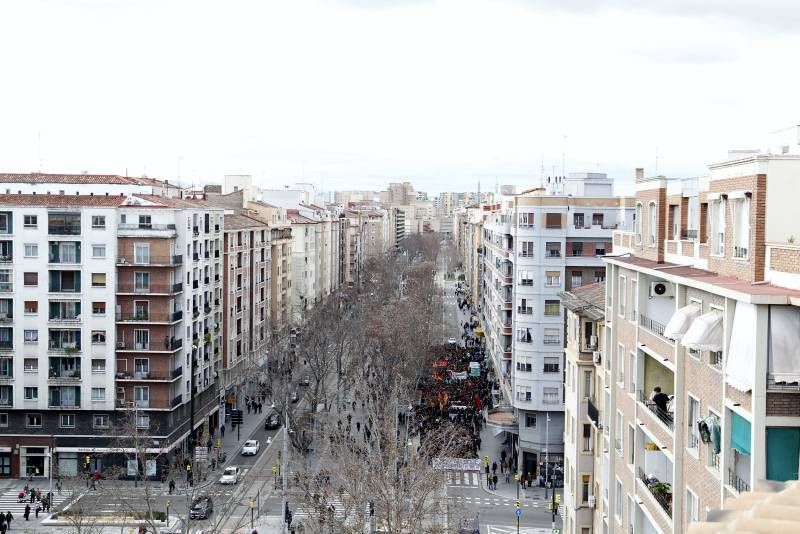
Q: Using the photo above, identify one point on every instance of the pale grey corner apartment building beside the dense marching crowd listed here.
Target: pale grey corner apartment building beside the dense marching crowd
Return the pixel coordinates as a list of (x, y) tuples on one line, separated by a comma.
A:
[(537, 244)]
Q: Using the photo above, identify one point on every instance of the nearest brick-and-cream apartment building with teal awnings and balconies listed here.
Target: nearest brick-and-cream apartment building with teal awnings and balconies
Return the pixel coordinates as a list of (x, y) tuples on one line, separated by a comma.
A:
[(702, 302)]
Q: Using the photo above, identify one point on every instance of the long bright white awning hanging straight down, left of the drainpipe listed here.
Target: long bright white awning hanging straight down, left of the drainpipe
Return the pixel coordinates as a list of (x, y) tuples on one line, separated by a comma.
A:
[(740, 363)]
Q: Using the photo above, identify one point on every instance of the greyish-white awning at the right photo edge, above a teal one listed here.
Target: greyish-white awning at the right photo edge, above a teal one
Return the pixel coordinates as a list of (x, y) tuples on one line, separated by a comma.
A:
[(784, 344)]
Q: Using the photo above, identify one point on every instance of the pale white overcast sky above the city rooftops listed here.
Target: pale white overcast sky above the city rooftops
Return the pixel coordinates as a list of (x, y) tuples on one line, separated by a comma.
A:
[(356, 93)]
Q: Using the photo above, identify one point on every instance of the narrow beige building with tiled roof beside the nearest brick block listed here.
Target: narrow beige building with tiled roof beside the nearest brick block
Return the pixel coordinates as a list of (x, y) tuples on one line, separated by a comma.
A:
[(585, 313)]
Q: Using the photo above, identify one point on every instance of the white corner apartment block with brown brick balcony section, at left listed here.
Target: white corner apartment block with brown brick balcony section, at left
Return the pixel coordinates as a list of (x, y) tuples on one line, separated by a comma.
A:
[(96, 335)]
